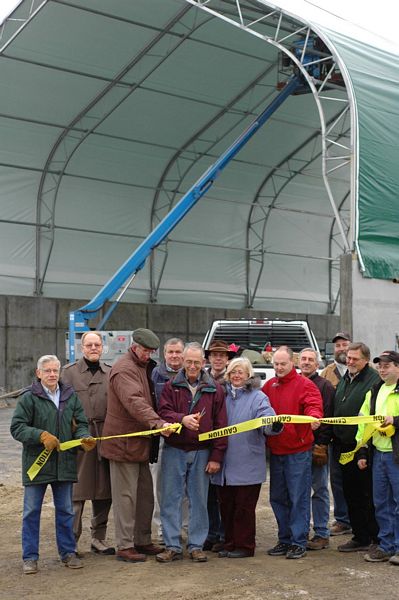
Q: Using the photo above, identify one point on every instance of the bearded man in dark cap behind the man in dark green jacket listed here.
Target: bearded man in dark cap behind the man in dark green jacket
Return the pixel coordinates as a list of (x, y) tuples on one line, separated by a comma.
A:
[(334, 372)]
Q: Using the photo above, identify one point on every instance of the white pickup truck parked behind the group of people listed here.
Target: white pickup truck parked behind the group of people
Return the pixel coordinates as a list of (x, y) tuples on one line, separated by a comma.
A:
[(258, 335)]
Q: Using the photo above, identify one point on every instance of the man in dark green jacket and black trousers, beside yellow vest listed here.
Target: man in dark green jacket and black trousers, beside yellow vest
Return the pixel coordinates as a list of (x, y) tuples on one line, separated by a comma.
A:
[(357, 483)]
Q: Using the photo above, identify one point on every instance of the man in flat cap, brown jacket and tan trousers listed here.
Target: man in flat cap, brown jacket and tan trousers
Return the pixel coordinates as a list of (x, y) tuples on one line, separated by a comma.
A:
[(131, 408)]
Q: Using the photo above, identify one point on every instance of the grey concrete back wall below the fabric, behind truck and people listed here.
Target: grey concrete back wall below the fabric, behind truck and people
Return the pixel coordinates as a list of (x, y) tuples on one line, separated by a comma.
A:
[(31, 327)]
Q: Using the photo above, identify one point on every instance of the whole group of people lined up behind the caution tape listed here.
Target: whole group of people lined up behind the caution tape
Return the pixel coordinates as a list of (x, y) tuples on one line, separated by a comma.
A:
[(211, 488)]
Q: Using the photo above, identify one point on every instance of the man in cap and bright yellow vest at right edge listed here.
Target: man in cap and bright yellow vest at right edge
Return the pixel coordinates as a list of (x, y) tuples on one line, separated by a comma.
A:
[(383, 399)]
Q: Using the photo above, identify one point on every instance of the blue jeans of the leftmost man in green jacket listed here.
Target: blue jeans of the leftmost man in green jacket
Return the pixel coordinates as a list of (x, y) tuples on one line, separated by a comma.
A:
[(64, 516)]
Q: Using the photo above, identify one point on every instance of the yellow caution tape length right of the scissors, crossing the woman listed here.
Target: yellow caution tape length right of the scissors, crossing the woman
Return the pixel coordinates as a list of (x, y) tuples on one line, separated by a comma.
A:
[(262, 421)]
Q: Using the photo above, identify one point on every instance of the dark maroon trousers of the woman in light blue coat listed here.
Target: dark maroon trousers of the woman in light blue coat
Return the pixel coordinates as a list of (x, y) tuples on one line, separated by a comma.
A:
[(237, 507)]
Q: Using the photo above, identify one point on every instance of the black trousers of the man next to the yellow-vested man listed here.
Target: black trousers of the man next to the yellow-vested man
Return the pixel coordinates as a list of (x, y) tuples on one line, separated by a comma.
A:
[(358, 492)]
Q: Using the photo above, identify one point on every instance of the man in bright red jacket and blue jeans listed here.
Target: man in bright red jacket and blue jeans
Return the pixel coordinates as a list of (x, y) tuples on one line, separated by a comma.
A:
[(291, 454)]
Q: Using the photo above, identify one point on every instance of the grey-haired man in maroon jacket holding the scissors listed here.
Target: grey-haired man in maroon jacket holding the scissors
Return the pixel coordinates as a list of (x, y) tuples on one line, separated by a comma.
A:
[(193, 399)]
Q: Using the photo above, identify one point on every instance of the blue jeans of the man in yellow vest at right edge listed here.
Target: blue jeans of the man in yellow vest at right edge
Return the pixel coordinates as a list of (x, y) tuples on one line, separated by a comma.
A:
[(386, 500)]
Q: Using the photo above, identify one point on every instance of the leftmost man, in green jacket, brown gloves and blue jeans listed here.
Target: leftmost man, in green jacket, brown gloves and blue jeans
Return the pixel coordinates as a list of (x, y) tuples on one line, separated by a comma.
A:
[(46, 414)]
